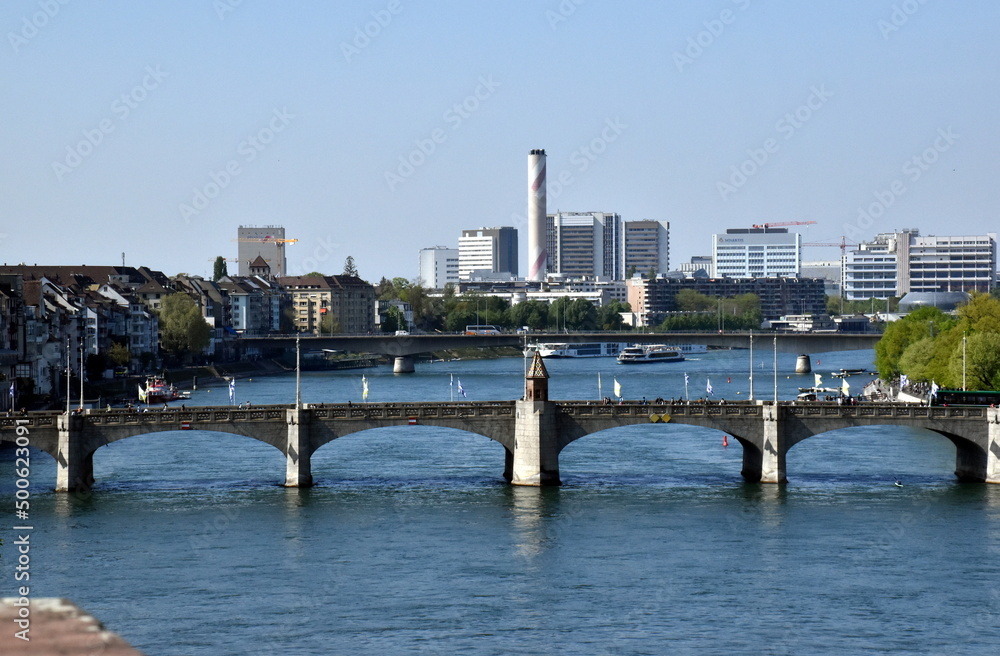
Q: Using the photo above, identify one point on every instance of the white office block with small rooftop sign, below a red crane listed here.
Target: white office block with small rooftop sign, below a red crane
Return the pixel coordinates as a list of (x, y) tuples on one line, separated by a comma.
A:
[(756, 253)]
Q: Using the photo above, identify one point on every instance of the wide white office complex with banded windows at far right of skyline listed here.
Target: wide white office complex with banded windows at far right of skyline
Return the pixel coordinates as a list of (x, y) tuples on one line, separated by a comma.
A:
[(896, 263)]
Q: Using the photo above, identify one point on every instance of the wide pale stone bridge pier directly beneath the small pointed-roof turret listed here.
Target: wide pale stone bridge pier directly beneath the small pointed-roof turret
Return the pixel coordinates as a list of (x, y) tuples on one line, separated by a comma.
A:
[(535, 459)]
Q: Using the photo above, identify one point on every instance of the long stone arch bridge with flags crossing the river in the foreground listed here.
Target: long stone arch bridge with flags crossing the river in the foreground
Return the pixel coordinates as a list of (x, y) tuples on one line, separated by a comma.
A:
[(532, 432)]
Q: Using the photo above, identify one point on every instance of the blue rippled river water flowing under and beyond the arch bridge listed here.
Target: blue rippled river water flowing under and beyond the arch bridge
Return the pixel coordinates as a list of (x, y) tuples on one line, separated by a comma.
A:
[(411, 542)]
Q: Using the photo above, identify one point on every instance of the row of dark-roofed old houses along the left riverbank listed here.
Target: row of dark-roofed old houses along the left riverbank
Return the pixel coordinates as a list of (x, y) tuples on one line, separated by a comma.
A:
[(49, 314)]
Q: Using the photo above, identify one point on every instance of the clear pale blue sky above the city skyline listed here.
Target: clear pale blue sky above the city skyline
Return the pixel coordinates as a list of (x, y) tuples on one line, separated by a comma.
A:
[(155, 129)]
